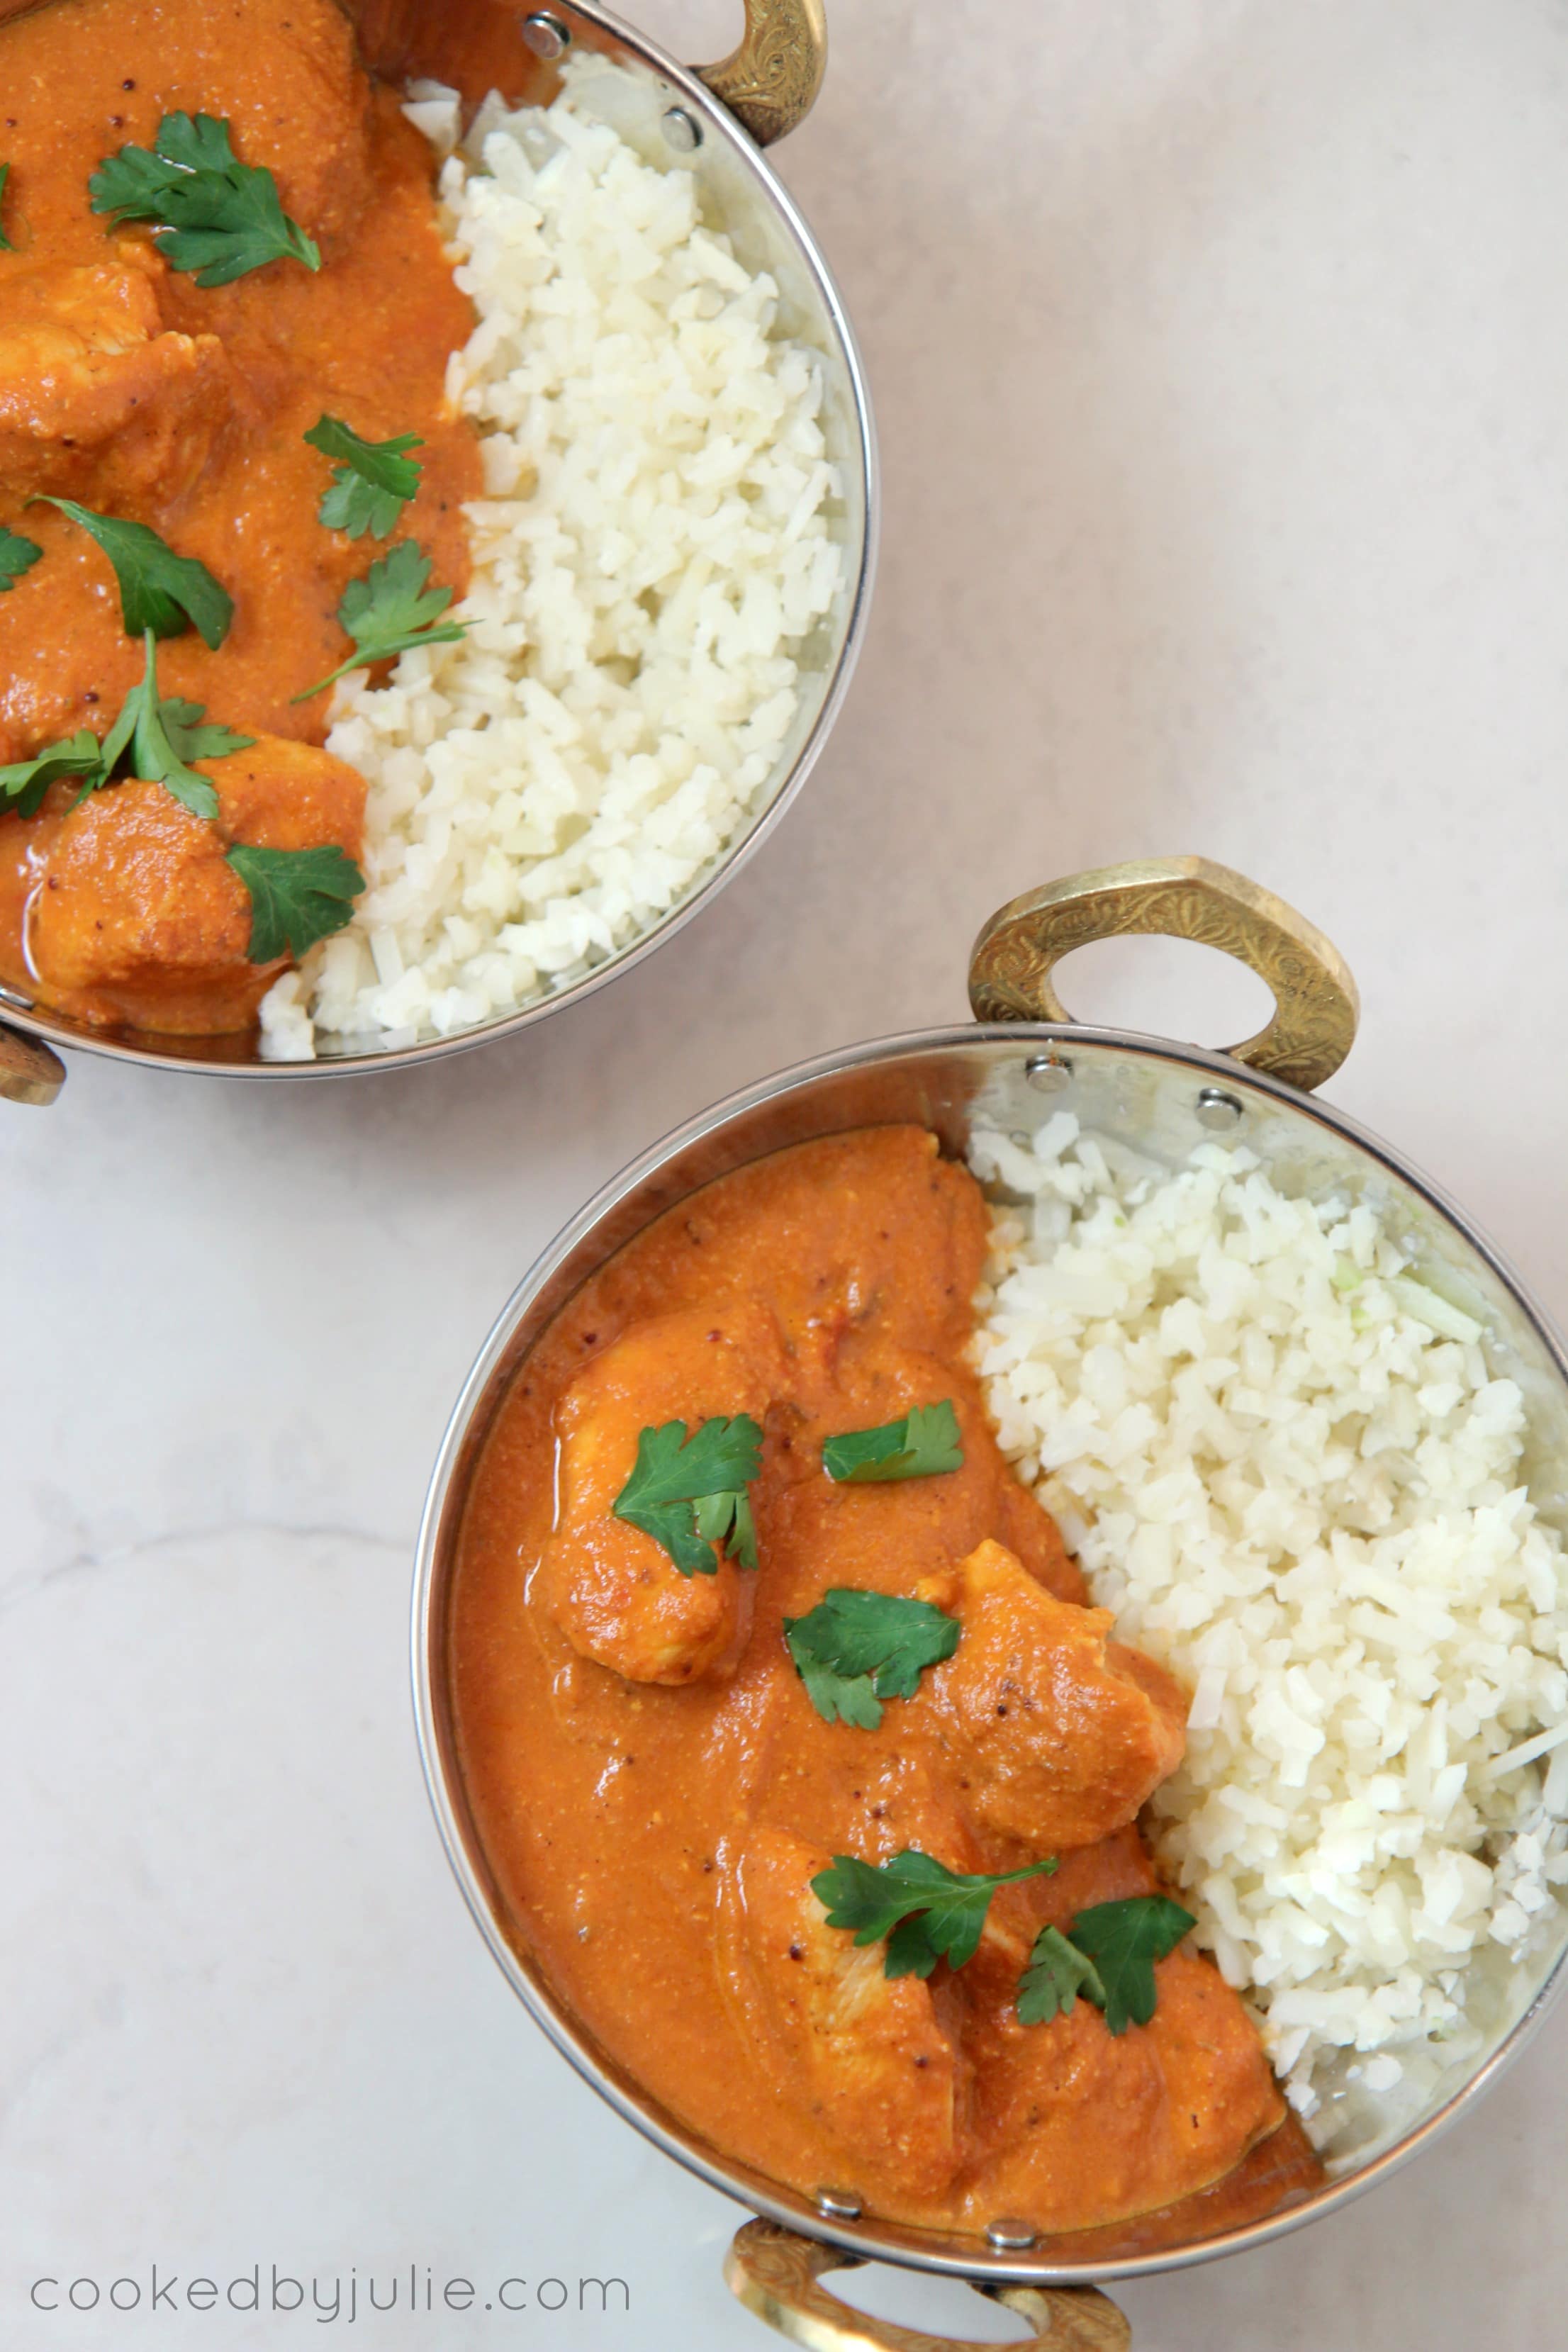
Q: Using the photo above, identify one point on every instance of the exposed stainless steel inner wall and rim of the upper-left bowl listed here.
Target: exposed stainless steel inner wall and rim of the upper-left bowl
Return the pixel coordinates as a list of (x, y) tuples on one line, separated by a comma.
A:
[(634, 86)]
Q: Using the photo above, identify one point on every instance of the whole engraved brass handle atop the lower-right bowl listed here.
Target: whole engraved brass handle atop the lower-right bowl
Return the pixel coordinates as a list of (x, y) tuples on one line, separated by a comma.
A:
[(1315, 998)]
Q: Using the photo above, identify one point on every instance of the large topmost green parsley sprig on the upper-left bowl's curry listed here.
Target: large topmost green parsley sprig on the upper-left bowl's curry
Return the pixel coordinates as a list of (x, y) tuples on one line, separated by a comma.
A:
[(217, 218)]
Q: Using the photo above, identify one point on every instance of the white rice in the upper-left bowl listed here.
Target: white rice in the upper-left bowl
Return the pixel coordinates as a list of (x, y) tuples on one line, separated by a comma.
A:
[(648, 561)]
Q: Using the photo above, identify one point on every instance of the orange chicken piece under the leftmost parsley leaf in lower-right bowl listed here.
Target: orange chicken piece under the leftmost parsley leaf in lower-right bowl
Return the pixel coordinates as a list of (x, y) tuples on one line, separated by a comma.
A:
[(612, 1589)]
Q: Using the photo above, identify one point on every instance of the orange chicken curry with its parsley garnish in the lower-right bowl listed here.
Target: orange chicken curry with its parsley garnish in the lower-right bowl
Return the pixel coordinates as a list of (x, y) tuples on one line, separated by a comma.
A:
[(713, 1803)]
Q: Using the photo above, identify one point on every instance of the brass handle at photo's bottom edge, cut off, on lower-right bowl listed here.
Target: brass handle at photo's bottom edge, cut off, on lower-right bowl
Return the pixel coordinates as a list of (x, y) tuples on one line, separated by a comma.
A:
[(775, 2273)]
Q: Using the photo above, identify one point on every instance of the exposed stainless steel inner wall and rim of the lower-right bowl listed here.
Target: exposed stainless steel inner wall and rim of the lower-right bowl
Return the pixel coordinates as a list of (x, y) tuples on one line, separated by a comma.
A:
[(1146, 1095)]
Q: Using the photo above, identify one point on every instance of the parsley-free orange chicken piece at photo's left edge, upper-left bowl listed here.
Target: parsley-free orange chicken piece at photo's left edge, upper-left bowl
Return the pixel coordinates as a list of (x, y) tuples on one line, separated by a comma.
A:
[(98, 403)]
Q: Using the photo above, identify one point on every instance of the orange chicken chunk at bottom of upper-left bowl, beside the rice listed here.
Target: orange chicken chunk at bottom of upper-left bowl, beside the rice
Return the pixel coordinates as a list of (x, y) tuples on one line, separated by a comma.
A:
[(138, 902)]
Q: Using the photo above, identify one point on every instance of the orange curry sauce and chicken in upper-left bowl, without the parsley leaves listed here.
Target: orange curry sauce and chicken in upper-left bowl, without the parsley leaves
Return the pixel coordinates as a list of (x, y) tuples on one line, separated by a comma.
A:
[(140, 394)]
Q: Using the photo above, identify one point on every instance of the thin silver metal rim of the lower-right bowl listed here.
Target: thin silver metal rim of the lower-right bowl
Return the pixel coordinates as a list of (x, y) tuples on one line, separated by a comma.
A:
[(892, 2243)]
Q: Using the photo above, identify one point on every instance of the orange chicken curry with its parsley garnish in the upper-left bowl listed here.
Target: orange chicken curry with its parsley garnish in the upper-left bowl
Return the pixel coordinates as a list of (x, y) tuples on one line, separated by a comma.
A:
[(145, 394)]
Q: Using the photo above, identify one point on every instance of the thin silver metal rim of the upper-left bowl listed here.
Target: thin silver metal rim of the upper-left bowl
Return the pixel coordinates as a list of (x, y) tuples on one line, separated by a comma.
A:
[(180, 1057)]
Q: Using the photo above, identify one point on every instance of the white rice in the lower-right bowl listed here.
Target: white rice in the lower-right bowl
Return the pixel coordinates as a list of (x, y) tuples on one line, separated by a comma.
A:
[(1285, 1462)]
